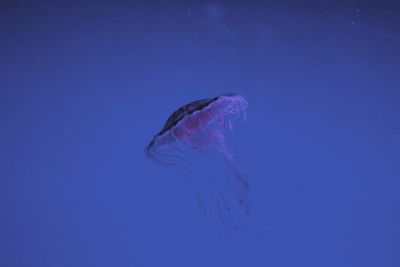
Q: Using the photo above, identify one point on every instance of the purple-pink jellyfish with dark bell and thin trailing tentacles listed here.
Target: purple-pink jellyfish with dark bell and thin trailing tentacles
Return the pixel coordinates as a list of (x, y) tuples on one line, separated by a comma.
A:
[(194, 141)]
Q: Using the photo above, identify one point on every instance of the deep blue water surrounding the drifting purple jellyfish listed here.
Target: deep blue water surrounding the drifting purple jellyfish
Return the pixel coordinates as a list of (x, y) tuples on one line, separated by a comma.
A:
[(85, 85)]
